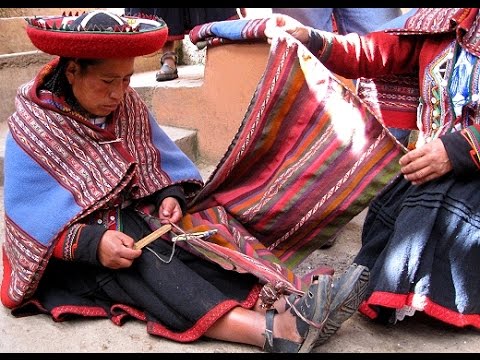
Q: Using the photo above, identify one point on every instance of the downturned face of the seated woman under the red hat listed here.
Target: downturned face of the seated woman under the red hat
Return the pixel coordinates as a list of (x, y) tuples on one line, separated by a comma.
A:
[(99, 89)]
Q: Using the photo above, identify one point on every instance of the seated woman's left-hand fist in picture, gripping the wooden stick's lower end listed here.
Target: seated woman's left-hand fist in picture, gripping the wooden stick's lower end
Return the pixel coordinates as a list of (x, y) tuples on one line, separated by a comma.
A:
[(116, 251)]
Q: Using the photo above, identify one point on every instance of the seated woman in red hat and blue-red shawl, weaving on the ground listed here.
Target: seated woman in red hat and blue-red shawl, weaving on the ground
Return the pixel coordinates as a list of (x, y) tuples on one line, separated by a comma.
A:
[(86, 166)]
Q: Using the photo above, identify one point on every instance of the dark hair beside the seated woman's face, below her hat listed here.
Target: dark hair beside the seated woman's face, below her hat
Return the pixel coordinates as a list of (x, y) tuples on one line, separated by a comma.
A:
[(58, 84)]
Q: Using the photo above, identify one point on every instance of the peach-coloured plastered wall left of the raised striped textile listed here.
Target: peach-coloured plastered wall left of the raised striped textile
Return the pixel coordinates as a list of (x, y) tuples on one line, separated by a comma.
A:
[(217, 107)]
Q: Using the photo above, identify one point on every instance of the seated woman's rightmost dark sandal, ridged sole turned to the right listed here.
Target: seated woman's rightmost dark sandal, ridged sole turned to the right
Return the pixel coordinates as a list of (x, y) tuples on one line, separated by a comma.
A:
[(347, 295)]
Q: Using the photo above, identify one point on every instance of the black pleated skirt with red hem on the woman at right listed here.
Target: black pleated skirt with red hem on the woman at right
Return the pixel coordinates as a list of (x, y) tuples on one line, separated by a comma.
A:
[(422, 245)]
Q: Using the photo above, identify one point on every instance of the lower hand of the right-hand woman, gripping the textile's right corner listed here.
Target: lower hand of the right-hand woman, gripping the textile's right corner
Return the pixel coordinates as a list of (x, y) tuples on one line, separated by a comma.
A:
[(426, 163)]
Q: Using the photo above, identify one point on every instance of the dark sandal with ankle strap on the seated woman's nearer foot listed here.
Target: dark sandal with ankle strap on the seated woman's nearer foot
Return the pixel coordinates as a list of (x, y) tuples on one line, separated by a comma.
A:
[(311, 311)]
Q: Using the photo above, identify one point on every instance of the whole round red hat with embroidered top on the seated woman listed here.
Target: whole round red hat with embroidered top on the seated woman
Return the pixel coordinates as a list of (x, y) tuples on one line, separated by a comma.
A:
[(97, 34)]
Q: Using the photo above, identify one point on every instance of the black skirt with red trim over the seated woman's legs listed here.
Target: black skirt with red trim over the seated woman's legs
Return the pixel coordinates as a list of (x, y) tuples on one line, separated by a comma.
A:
[(179, 299)]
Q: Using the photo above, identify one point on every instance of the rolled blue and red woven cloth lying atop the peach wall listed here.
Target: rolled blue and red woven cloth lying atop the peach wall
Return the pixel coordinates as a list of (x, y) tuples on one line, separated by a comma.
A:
[(228, 31)]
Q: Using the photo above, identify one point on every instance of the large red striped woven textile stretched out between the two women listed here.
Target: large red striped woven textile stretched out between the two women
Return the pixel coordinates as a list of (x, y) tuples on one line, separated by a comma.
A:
[(308, 157)]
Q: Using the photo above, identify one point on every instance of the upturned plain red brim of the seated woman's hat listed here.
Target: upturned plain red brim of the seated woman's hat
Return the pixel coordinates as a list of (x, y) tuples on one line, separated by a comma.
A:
[(98, 44)]
